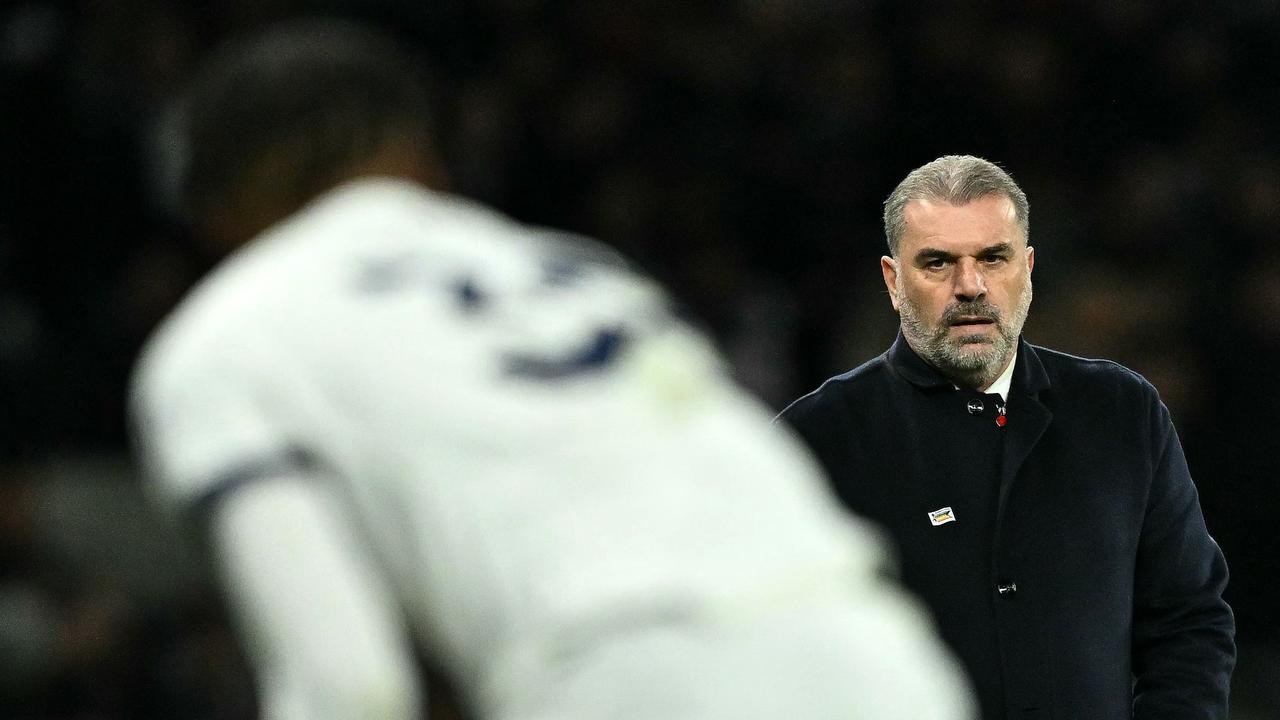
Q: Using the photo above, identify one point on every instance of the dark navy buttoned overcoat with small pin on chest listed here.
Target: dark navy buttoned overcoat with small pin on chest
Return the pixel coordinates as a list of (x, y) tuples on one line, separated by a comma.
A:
[(1062, 550)]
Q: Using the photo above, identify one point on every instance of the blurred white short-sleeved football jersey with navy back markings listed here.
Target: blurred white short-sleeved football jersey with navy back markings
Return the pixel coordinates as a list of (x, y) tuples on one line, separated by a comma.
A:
[(538, 453)]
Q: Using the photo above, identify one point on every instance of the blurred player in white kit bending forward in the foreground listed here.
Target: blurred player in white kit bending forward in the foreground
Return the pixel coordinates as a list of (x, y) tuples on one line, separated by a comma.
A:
[(409, 421)]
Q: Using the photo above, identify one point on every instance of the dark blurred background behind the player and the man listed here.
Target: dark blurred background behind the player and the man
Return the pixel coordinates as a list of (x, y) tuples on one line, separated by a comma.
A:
[(740, 152)]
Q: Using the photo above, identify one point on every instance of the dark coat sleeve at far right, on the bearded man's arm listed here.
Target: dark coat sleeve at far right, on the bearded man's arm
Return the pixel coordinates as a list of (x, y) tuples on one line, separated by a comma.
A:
[(1183, 631)]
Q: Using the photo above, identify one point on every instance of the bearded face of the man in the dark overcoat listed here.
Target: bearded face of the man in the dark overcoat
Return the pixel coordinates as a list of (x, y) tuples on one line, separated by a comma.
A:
[(962, 284)]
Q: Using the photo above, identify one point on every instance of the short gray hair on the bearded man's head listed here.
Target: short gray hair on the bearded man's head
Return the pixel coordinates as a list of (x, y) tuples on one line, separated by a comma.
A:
[(957, 180)]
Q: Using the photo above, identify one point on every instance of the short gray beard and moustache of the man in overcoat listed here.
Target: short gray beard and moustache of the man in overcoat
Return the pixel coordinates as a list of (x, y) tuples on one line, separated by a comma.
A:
[(967, 368)]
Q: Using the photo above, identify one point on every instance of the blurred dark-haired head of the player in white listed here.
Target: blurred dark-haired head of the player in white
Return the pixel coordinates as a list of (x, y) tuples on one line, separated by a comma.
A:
[(275, 120)]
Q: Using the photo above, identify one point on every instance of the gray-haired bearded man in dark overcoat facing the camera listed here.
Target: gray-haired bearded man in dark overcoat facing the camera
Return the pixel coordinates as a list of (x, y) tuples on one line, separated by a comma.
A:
[(1041, 503)]
